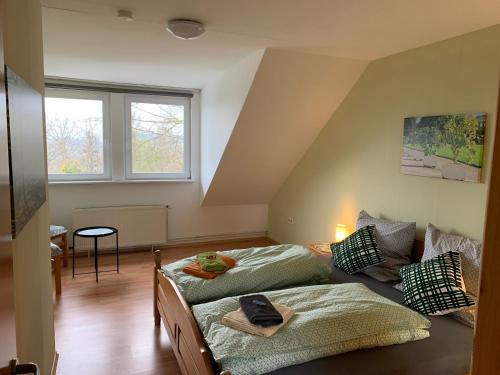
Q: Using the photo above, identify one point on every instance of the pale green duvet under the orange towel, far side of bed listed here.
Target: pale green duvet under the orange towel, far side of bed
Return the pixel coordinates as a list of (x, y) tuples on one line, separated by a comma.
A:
[(257, 269)]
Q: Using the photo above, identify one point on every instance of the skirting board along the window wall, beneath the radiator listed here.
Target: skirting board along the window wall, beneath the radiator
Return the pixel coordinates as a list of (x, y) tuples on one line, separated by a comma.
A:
[(184, 241)]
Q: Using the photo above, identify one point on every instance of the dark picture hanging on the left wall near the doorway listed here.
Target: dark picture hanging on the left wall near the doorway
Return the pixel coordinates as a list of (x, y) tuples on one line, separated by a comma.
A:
[(26, 150)]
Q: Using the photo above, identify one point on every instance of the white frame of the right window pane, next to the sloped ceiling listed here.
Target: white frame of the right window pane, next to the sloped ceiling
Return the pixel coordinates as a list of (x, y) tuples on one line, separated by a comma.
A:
[(157, 99)]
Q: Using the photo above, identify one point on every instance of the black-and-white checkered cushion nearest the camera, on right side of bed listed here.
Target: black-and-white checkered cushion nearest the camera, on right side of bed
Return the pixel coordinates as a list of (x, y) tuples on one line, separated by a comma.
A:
[(435, 286)]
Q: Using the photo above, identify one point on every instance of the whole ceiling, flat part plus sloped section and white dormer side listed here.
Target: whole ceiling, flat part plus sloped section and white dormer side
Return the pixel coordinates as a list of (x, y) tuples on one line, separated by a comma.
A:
[(315, 52)]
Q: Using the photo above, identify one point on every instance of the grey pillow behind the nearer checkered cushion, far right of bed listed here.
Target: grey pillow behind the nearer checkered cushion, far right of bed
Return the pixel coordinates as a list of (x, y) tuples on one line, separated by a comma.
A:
[(438, 242)]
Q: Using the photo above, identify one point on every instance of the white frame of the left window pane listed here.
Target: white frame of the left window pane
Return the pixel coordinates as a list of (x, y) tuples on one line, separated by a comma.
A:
[(106, 134)]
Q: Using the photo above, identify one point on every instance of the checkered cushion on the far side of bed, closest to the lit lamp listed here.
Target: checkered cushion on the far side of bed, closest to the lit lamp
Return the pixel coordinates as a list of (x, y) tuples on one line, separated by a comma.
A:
[(357, 252)]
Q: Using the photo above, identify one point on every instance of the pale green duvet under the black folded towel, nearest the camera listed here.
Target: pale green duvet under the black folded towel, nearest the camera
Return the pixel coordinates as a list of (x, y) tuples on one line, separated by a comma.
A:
[(329, 319)]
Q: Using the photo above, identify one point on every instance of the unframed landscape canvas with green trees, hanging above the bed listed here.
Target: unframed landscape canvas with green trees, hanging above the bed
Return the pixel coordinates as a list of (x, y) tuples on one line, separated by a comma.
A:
[(448, 146)]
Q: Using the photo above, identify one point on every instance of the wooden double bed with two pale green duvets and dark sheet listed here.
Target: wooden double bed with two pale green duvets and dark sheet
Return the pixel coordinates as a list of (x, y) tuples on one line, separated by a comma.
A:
[(345, 324)]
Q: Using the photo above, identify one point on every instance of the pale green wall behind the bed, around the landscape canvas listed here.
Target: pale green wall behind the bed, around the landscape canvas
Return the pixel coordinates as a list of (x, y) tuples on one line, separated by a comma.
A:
[(354, 162)]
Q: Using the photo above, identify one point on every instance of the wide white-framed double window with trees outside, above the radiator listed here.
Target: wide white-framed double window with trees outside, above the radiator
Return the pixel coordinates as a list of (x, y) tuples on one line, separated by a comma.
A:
[(117, 133)]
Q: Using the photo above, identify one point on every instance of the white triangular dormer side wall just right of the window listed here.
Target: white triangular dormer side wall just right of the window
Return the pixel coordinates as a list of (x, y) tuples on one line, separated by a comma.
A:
[(222, 100)]
